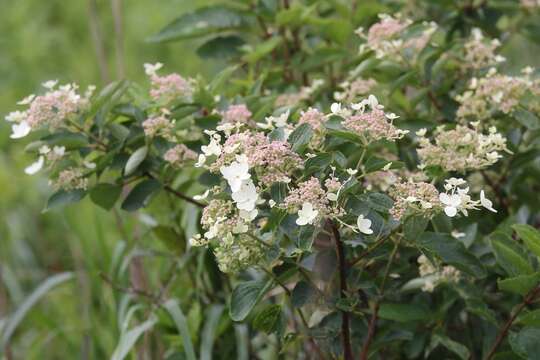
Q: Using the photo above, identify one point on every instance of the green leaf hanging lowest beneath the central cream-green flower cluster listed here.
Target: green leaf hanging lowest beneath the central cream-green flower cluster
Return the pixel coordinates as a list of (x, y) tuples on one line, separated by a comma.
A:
[(245, 296)]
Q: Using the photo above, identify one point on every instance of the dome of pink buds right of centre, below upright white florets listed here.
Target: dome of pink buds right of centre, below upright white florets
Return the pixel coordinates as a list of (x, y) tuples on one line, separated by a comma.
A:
[(373, 125)]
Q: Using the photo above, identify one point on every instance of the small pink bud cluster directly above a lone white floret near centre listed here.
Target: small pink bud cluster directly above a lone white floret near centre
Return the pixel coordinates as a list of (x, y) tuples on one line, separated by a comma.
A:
[(309, 191)]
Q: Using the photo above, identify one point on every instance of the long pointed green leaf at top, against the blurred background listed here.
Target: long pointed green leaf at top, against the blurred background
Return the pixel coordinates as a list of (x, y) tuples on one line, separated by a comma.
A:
[(201, 22)]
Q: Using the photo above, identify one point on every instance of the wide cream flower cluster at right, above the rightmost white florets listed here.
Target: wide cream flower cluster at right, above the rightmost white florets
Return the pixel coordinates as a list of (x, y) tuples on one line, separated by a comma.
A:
[(462, 148)]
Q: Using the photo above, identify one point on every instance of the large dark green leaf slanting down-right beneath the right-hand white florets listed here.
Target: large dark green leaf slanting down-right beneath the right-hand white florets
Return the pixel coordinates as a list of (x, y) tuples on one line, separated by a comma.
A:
[(452, 252)]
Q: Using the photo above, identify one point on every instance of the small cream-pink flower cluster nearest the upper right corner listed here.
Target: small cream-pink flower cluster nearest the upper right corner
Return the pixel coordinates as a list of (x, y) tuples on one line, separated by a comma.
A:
[(481, 53)]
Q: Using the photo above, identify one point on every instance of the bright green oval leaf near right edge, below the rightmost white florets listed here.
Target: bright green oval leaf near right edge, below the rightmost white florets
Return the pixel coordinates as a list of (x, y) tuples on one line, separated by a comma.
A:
[(508, 257)]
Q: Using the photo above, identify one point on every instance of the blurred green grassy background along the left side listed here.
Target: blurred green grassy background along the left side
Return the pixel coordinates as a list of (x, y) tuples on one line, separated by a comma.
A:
[(52, 39)]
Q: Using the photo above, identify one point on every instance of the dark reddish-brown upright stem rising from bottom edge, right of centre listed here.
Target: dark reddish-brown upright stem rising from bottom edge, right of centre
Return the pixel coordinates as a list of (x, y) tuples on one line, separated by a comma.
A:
[(342, 268)]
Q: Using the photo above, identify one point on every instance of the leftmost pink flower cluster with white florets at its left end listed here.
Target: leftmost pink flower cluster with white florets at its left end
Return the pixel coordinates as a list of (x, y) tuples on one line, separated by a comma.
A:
[(51, 109)]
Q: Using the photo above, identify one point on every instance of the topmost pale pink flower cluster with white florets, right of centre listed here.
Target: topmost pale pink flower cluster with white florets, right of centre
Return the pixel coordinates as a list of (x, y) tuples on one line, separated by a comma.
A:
[(386, 38)]
